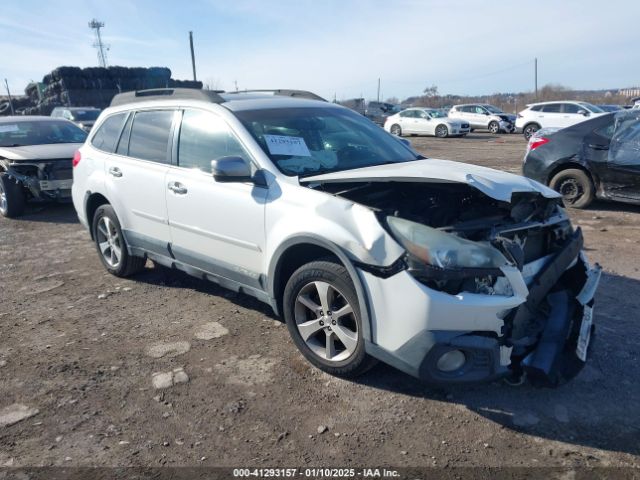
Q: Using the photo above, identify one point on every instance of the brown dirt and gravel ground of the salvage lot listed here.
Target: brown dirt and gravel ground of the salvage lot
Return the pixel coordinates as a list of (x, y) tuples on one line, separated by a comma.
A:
[(80, 347)]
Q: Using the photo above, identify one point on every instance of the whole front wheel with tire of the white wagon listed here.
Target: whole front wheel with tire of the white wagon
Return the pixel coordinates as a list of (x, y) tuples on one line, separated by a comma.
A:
[(322, 313)]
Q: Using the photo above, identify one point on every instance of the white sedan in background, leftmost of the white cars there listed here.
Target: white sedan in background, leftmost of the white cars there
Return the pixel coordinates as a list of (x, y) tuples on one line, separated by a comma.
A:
[(425, 121)]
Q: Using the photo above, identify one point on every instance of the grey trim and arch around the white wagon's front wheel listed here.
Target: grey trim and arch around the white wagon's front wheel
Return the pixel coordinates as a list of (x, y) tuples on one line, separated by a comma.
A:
[(297, 251)]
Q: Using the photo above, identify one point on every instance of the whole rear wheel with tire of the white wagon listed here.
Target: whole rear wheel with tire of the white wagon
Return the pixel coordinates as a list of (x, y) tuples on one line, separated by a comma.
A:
[(111, 244)]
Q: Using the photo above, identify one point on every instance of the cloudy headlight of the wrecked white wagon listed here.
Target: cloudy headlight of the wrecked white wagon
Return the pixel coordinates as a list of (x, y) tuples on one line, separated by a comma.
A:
[(443, 250)]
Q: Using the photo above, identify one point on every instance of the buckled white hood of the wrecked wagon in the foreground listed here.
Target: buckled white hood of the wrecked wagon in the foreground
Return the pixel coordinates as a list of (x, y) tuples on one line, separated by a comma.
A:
[(493, 183)]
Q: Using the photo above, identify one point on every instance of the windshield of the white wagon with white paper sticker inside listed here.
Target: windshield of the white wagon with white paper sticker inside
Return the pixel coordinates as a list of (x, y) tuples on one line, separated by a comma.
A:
[(310, 141)]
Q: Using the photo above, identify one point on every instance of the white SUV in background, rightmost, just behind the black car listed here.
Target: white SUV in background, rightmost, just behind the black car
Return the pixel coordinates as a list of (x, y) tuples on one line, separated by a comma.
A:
[(559, 114)]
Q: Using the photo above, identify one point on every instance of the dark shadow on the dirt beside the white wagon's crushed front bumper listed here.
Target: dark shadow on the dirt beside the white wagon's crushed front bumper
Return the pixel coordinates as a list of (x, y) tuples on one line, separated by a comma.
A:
[(599, 408)]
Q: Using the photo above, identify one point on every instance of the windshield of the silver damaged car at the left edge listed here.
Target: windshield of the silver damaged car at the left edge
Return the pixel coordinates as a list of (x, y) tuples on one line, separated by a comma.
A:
[(39, 132)]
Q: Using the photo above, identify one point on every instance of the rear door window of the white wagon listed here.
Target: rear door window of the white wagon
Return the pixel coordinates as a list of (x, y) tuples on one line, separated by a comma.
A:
[(150, 132)]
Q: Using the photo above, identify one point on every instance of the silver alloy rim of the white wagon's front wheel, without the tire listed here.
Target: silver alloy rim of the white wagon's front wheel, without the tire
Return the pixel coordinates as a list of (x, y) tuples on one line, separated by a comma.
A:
[(326, 321)]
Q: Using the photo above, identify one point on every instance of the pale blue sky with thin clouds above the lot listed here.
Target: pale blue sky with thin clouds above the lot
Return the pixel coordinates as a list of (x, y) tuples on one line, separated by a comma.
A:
[(336, 47)]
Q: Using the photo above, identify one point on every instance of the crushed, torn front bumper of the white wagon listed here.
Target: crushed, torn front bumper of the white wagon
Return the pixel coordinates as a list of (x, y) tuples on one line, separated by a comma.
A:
[(413, 326)]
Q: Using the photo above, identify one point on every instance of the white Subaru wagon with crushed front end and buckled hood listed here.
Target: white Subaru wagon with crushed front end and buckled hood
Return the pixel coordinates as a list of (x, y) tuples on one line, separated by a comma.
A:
[(448, 271)]
